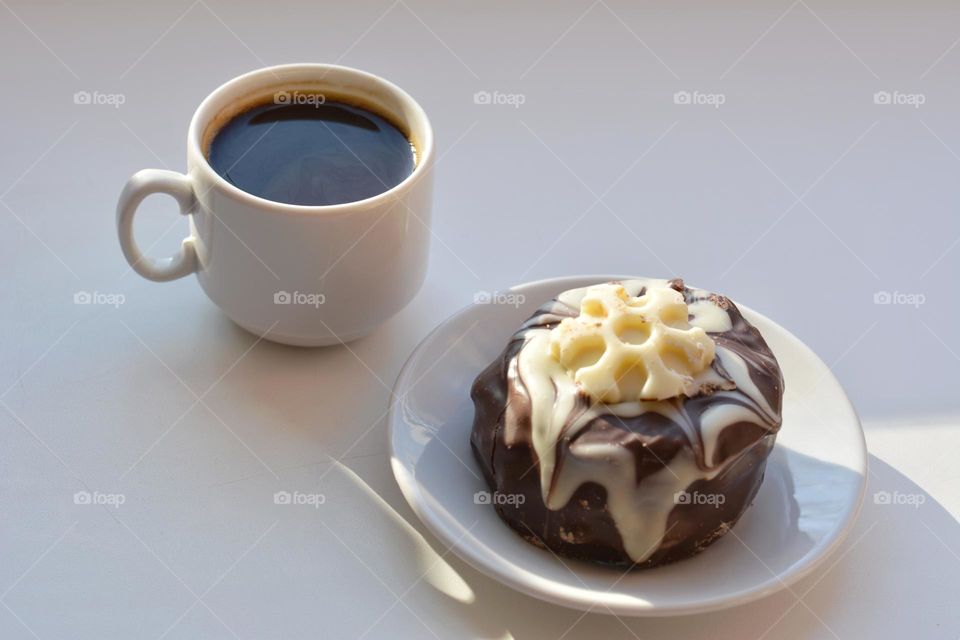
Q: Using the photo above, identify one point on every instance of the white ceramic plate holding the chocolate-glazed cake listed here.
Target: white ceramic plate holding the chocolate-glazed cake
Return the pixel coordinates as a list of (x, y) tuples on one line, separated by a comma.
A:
[(813, 489)]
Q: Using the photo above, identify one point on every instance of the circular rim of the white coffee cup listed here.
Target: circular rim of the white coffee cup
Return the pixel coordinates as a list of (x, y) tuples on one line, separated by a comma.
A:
[(197, 130)]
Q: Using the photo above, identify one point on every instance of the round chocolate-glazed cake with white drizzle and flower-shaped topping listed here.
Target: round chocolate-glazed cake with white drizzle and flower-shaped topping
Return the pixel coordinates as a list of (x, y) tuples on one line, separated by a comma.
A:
[(628, 423)]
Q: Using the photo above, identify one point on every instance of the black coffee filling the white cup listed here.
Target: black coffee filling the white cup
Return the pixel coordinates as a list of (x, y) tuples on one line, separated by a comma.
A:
[(312, 153)]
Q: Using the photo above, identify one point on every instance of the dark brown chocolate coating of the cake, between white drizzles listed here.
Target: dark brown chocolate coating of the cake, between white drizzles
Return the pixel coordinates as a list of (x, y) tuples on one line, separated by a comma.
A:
[(584, 528)]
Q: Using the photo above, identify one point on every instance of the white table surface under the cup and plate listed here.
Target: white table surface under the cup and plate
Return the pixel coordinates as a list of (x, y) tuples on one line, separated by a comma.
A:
[(798, 196)]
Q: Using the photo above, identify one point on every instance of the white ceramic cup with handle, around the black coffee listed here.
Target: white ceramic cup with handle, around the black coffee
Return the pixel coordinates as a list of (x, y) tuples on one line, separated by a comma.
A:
[(301, 275)]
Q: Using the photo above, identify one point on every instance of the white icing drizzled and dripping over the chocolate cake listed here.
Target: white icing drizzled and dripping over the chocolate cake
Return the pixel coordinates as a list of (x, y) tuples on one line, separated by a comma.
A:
[(639, 510)]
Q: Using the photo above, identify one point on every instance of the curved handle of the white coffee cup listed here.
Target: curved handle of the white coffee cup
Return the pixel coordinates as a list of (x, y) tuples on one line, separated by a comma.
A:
[(139, 186)]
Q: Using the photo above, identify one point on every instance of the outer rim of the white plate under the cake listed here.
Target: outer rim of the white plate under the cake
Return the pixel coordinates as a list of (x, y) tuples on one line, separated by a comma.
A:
[(578, 597)]
